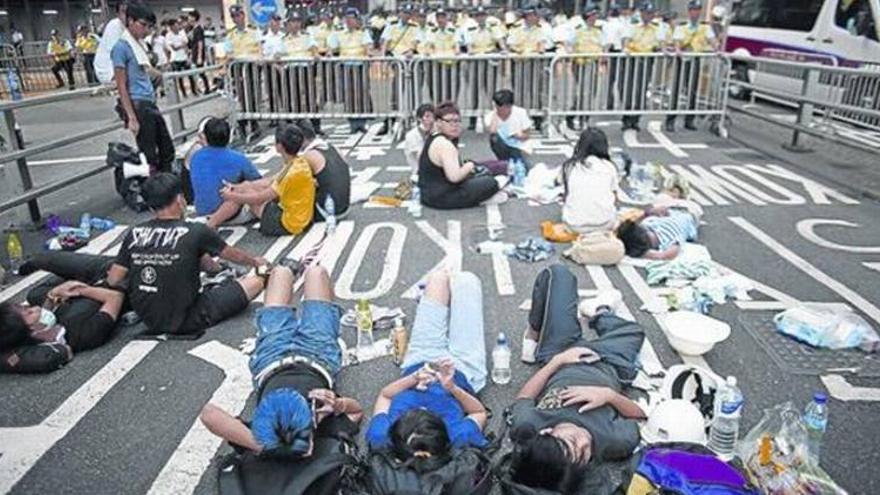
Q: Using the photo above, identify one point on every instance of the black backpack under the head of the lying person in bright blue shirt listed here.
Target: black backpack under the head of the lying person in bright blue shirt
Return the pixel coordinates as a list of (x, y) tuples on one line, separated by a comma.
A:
[(469, 472)]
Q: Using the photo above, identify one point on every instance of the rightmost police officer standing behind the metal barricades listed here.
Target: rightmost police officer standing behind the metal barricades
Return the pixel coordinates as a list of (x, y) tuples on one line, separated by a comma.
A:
[(691, 36)]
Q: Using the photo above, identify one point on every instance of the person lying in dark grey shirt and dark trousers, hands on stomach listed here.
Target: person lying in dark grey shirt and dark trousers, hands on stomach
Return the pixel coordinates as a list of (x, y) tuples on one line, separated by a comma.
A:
[(571, 415)]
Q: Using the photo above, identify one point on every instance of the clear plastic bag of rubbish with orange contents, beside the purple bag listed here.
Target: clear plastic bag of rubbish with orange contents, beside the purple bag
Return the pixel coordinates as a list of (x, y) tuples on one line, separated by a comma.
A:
[(775, 453)]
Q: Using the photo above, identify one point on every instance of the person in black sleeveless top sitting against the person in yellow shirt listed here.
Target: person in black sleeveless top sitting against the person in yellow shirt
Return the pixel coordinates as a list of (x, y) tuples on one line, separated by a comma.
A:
[(332, 173)]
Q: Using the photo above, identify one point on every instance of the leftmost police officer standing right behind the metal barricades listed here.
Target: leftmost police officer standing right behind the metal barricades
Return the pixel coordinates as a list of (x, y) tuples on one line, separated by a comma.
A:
[(244, 42)]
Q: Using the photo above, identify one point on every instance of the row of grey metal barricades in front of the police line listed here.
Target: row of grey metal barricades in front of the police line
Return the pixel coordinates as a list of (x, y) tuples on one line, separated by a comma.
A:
[(552, 86)]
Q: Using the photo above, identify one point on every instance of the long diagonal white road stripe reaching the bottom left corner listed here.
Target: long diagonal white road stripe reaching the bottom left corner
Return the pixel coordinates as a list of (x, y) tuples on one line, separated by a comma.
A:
[(31, 442)]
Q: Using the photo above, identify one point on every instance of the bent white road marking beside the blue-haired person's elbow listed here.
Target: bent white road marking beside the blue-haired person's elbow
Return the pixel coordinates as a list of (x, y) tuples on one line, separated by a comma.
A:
[(186, 466)]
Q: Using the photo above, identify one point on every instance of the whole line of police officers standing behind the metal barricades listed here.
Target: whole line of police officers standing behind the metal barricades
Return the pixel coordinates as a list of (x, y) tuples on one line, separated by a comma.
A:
[(416, 30)]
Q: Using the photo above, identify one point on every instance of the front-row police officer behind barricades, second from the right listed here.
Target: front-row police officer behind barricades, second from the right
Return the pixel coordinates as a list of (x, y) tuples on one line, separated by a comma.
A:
[(645, 38)]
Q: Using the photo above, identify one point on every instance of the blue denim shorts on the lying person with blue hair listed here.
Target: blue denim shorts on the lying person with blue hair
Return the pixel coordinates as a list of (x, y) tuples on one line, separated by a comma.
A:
[(311, 332)]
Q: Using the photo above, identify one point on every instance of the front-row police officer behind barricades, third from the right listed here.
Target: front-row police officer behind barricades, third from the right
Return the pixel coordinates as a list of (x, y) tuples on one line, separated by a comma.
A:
[(586, 38)]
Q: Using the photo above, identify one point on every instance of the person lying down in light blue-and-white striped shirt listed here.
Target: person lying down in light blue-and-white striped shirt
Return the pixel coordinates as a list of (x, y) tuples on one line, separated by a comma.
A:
[(659, 234)]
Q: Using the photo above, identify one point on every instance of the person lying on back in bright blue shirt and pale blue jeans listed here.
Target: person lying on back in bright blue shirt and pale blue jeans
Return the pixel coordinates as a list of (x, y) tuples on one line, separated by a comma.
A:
[(432, 408)]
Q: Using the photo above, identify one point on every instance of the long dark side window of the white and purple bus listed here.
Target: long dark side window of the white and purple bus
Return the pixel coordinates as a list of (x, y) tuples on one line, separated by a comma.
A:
[(794, 15)]
